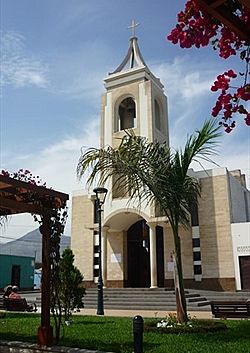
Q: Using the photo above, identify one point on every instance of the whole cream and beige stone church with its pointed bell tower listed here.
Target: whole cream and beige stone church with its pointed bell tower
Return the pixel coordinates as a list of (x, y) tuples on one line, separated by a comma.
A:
[(136, 241)]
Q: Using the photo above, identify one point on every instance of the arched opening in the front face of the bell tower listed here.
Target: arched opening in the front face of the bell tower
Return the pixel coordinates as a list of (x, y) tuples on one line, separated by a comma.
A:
[(127, 114)]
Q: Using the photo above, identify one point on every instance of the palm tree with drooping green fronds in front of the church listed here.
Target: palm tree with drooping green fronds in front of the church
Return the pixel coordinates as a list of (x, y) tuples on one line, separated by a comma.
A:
[(152, 173)]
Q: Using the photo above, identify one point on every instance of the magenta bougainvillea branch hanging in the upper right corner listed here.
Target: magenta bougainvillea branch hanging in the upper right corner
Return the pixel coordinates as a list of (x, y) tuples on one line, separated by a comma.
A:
[(197, 28)]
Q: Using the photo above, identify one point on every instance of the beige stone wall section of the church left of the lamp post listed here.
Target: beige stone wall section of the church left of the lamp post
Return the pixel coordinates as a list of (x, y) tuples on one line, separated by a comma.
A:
[(82, 239)]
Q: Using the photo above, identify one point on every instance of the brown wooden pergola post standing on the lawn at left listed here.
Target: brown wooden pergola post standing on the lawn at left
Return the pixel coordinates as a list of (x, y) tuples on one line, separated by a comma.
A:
[(45, 331)]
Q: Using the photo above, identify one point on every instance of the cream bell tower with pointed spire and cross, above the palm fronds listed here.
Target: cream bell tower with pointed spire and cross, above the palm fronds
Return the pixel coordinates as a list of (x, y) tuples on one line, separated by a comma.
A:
[(134, 99)]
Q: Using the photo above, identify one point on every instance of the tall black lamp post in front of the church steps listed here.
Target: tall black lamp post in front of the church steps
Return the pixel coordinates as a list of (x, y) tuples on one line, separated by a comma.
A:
[(100, 198)]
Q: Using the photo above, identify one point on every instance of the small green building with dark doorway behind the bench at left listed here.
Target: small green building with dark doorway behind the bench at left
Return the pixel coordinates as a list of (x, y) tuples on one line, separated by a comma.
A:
[(17, 270)]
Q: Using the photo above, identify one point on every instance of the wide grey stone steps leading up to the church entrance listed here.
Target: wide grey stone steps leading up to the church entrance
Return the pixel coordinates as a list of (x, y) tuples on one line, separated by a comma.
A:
[(157, 299)]
